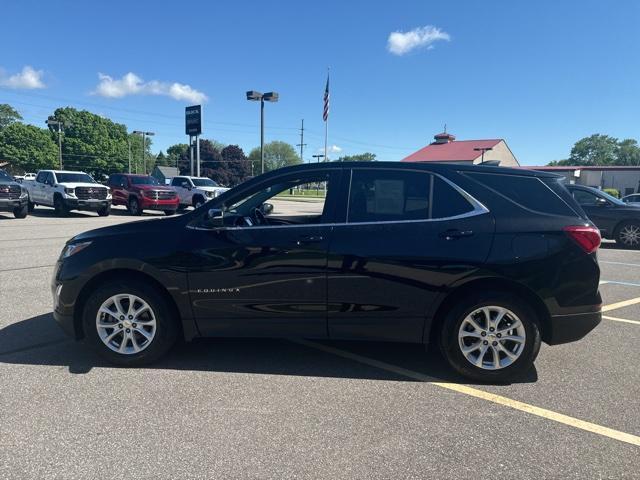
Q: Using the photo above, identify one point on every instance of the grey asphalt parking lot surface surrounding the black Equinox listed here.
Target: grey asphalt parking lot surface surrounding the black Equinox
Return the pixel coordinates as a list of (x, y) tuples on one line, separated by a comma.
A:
[(230, 408)]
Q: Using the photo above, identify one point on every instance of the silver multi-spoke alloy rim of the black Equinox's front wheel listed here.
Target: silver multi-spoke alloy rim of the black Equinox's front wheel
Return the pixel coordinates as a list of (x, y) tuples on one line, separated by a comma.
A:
[(126, 324)]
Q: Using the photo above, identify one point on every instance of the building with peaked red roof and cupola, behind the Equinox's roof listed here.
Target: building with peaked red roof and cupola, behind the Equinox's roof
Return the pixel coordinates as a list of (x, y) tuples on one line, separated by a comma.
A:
[(445, 148)]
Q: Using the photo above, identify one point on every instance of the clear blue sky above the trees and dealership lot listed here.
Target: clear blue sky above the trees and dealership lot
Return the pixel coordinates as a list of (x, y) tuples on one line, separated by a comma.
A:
[(539, 74)]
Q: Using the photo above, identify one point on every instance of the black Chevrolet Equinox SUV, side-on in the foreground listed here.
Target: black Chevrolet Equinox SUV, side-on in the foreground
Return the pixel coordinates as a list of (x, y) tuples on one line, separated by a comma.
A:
[(485, 262)]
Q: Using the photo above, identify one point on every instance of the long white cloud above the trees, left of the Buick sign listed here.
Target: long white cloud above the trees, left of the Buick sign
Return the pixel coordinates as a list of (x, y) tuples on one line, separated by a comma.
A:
[(131, 84)]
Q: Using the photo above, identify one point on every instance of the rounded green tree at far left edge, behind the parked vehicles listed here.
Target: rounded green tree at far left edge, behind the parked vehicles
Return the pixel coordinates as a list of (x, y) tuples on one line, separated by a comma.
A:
[(28, 148)]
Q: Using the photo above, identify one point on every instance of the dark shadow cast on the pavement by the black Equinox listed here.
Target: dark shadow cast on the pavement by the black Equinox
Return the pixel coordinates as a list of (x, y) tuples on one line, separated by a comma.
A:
[(39, 341)]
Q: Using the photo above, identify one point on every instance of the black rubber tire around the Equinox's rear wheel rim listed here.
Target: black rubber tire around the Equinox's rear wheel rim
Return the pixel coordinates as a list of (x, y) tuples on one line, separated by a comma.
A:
[(457, 331)]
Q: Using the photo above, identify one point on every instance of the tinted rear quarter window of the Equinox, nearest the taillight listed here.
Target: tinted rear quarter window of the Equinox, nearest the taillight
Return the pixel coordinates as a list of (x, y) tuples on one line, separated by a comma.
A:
[(528, 192)]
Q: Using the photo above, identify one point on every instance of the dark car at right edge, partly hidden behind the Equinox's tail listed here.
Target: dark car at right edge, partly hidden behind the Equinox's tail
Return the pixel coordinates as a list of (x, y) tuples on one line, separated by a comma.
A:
[(616, 219)]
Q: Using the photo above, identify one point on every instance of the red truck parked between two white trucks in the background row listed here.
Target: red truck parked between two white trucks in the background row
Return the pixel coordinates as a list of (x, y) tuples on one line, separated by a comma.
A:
[(142, 192)]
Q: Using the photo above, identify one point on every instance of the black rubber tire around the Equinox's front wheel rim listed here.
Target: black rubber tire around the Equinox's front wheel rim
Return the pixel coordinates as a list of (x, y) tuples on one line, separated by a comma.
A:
[(163, 332)]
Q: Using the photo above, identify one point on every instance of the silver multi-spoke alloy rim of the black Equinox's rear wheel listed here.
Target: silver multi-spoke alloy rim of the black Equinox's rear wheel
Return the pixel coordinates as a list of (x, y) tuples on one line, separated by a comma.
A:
[(491, 337)]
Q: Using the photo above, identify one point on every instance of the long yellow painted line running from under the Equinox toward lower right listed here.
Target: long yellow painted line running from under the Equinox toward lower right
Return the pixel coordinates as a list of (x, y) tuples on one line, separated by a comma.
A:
[(474, 392)]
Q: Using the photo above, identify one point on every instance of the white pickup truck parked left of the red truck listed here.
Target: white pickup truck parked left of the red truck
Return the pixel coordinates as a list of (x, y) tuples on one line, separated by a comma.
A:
[(65, 191)]
